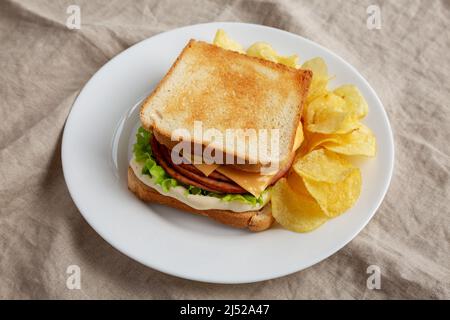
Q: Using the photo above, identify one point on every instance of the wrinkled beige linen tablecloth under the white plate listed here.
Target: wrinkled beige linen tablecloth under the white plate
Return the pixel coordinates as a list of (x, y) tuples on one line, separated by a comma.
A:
[(43, 65)]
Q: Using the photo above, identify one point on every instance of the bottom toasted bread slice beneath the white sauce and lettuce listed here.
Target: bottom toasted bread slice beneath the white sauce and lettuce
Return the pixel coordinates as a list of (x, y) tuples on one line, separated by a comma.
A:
[(252, 220)]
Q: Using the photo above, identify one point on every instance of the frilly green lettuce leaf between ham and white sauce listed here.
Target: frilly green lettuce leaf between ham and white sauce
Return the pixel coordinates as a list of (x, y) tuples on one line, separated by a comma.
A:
[(143, 154)]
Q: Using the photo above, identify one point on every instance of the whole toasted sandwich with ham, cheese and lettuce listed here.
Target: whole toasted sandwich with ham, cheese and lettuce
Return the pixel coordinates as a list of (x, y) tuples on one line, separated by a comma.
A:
[(226, 94)]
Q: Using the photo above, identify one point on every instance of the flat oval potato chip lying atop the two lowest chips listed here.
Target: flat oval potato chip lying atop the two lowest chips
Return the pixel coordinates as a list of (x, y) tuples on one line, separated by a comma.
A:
[(323, 165)]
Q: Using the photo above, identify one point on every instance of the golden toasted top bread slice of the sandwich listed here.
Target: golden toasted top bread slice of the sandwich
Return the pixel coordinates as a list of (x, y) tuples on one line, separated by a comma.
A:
[(227, 90)]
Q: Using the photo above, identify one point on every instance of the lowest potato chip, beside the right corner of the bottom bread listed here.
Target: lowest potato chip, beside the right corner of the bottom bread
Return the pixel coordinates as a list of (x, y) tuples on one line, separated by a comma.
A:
[(295, 211)]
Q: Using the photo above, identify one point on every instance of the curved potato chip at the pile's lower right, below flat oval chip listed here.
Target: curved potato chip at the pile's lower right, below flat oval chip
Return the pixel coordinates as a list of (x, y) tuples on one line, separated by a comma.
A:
[(336, 198)]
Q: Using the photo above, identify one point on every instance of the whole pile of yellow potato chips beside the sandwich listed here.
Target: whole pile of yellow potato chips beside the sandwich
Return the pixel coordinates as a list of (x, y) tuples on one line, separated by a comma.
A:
[(322, 183)]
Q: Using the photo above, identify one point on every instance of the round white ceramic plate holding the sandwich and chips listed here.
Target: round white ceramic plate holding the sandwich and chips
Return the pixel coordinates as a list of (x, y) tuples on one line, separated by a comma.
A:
[(97, 146)]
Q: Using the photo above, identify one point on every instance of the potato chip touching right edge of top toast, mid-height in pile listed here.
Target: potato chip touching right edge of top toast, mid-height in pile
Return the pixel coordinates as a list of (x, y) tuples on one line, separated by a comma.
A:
[(328, 114)]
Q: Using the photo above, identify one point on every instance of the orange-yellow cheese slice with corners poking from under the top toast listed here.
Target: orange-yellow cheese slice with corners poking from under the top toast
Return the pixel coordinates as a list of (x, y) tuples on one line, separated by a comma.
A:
[(254, 183)]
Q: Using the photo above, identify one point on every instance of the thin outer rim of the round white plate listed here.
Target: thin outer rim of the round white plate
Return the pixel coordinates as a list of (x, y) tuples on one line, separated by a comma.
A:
[(276, 274)]
